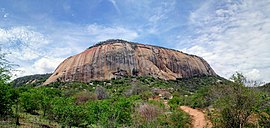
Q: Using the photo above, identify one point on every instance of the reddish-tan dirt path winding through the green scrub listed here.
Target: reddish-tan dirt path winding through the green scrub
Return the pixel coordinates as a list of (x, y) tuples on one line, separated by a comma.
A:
[(198, 119)]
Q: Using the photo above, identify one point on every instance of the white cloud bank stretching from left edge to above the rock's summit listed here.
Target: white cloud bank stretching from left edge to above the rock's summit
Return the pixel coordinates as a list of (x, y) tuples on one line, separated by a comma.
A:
[(38, 53)]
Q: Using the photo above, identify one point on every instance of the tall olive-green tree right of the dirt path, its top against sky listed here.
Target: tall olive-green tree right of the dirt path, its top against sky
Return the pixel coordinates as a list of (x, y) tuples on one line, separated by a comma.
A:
[(237, 102)]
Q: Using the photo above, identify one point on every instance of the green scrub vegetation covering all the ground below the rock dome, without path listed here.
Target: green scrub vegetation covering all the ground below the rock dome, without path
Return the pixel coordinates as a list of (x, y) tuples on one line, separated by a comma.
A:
[(132, 102)]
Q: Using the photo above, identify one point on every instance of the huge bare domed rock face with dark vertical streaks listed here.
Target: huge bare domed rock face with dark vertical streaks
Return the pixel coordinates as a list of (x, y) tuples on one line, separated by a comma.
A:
[(118, 58)]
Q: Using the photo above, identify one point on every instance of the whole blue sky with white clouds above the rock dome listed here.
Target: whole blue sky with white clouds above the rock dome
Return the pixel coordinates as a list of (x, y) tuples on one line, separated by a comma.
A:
[(232, 35)]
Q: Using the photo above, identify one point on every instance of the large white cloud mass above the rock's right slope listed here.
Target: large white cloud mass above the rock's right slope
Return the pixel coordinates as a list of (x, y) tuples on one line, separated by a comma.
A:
[(233, 36)]
